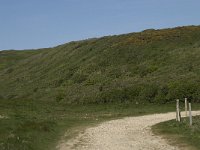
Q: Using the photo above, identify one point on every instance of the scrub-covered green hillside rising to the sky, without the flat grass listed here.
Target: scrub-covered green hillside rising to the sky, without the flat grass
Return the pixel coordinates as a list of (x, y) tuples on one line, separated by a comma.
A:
[(150, 66)]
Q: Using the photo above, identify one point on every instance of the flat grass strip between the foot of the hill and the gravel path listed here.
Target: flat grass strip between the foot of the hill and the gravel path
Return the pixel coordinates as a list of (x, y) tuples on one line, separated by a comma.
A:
[(39, 126)]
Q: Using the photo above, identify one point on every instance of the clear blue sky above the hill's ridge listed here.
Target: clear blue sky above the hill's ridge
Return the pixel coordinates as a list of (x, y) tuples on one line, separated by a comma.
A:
[(27, 24)]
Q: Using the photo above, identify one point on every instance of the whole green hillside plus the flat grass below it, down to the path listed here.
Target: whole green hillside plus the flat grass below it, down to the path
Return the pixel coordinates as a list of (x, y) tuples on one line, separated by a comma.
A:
[(49, 91)]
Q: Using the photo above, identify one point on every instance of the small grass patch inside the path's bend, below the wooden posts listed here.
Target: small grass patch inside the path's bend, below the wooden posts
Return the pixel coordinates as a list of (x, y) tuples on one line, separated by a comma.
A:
[(181, 133)]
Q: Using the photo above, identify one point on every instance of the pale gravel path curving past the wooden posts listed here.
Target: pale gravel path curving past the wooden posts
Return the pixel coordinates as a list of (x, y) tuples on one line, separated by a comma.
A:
[(131, 133)]
